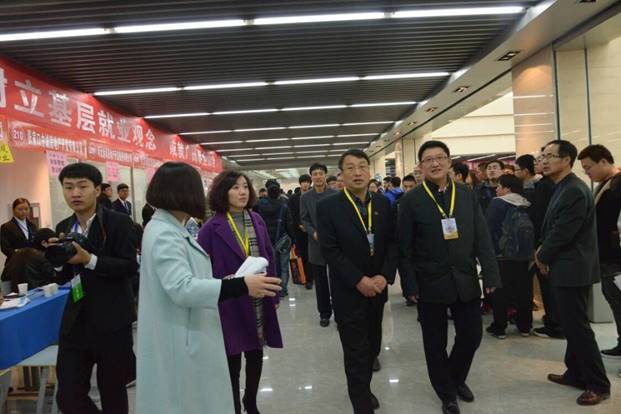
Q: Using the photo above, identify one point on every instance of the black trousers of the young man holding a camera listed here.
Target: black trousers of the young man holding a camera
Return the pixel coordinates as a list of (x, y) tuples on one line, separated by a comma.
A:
[(78, 351)]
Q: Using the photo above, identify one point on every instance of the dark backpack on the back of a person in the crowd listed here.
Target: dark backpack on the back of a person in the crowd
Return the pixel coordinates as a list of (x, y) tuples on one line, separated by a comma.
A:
[(517, 241)]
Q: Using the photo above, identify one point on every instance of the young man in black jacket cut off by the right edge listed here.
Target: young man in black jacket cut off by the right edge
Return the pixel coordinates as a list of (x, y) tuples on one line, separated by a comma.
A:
[(599, 165)]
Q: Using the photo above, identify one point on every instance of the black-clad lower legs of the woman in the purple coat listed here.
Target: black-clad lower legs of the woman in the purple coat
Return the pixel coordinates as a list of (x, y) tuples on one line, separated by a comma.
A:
[(254, 367)]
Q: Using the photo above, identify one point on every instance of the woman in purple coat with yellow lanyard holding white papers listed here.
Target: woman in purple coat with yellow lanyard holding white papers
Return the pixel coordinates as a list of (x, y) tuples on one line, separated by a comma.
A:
[(233, 234)]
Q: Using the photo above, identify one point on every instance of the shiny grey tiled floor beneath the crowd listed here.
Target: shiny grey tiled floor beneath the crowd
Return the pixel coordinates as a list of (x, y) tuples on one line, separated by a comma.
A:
[(507, 376)]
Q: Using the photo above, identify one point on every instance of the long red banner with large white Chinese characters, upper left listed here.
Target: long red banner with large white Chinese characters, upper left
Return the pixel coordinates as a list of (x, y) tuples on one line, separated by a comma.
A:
[(43, 115)]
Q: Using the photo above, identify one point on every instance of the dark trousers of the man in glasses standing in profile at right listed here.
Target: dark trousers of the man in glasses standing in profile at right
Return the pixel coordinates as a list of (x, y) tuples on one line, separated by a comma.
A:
[(582, 356)]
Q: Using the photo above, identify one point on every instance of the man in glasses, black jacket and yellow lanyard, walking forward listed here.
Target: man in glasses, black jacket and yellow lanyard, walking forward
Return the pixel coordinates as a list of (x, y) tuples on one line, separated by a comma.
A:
[(442, 232)]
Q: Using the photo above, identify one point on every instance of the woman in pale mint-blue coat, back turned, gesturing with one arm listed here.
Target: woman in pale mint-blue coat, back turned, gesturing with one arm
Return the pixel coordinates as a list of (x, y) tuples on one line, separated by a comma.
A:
[(182, 366)]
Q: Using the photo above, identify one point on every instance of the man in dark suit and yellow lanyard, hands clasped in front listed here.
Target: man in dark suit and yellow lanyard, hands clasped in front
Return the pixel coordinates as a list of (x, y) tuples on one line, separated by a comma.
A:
[(356, 232)]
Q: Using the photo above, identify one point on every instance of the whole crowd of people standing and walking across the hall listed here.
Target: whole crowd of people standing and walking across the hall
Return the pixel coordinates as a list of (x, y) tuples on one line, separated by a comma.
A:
[(463, 241)]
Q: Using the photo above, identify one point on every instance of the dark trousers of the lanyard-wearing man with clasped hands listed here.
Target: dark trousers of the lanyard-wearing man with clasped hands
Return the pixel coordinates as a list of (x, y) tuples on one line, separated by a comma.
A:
[(360, 331)]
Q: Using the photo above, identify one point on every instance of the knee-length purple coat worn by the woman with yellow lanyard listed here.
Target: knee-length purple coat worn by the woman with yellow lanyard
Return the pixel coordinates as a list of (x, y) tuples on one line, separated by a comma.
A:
[(237, 315)]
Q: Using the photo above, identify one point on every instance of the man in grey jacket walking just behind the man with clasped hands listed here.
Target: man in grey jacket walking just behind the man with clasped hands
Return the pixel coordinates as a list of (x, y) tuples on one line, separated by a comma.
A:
[(308, 215)]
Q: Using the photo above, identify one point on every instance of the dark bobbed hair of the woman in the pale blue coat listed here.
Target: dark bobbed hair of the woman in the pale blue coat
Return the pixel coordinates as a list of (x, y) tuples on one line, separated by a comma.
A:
[(177, 186)]
